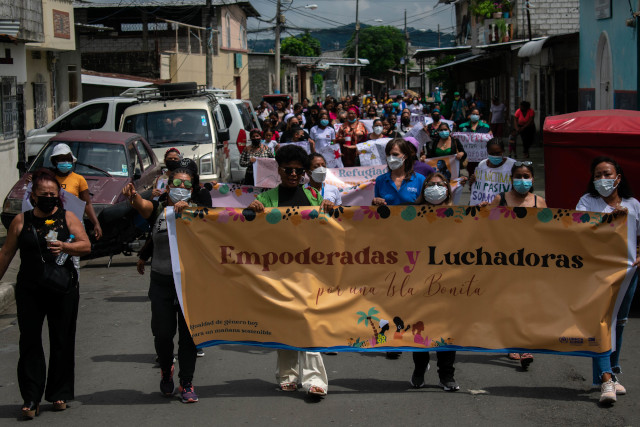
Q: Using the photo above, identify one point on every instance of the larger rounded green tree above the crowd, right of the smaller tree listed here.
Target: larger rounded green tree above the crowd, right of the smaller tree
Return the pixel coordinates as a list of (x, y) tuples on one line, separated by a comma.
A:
[(382, 46)]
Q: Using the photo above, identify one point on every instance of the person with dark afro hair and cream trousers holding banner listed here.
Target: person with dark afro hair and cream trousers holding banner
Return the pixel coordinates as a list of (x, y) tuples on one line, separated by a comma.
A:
[(295, 366)]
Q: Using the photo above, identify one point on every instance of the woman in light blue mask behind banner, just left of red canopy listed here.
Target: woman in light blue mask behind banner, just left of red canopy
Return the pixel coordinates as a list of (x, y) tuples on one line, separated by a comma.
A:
[(520, 195)]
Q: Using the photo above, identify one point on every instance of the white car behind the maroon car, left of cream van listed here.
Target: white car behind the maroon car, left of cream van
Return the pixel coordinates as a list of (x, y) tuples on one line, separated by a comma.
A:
[(96, 114)]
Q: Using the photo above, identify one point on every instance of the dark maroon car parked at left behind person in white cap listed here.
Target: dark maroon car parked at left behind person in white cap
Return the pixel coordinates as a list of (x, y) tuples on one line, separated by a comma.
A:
[(108, 161)]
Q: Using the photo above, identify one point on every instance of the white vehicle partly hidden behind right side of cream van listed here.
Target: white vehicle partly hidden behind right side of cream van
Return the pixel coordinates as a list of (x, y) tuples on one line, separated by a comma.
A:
[(241, 118)]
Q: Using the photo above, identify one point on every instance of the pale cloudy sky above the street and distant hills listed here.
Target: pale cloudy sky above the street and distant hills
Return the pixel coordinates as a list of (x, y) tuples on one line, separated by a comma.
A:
[(422, 14)]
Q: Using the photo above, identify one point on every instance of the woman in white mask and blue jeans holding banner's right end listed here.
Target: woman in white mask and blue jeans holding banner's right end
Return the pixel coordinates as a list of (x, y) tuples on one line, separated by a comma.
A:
[(609, 192)]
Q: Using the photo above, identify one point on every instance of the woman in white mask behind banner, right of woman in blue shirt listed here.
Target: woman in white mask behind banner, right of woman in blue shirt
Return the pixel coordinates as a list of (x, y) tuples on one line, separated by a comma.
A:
[(436, 191)]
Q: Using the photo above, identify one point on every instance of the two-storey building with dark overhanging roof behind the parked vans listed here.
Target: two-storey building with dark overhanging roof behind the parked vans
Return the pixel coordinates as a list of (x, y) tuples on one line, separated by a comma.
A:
[(162, 40)]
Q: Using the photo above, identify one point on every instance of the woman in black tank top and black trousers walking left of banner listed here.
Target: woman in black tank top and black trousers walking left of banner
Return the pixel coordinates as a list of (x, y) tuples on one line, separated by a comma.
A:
[(53, 227)]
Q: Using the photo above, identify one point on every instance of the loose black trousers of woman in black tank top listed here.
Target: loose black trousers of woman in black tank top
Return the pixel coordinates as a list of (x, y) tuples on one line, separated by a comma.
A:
[(34, 304)]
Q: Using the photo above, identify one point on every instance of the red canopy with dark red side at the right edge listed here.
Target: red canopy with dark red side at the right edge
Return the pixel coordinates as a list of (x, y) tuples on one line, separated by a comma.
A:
[(572, 141)]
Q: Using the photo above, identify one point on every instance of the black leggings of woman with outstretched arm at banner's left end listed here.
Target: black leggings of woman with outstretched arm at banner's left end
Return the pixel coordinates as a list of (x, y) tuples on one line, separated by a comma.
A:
[(166, 315)]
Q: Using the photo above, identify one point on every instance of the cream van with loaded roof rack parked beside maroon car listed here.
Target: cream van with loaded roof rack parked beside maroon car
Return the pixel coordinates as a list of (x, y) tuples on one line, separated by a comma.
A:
[(184, 116)]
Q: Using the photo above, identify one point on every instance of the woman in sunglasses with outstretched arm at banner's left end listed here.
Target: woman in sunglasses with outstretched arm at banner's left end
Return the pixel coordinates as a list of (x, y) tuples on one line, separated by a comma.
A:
[(166, 314)]
